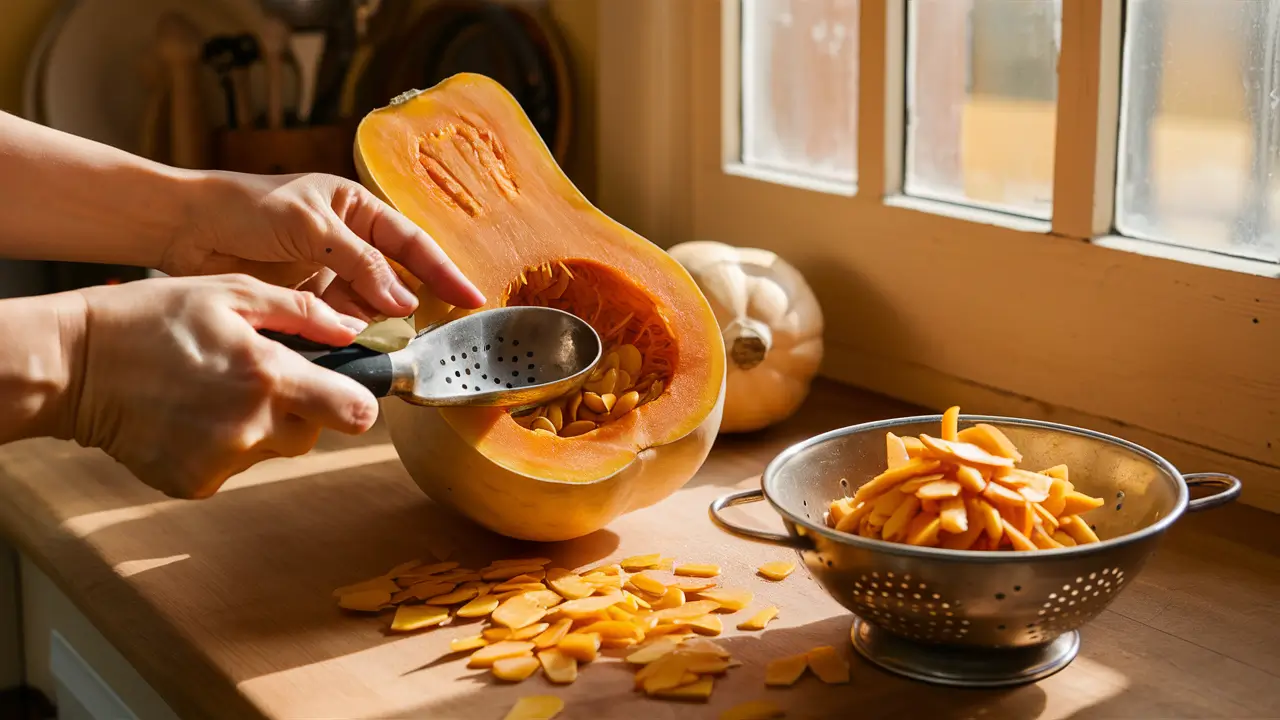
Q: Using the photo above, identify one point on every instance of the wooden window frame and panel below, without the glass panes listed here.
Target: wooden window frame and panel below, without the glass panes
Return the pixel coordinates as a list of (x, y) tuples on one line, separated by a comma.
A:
[(1174, 349)]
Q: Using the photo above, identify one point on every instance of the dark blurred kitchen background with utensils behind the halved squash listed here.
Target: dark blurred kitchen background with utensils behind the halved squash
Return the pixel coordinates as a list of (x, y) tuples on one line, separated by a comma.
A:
[(278, 86)]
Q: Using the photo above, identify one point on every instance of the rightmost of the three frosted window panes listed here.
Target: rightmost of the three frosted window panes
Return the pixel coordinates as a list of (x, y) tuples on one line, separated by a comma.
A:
[(1199, 125)]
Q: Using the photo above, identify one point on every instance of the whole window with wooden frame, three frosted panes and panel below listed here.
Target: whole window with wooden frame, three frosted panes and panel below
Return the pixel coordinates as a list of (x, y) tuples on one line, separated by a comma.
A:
[(1039, 110)]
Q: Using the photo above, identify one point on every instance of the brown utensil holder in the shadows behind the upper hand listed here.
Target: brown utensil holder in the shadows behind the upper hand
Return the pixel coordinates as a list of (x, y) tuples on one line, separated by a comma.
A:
[(317, 149)]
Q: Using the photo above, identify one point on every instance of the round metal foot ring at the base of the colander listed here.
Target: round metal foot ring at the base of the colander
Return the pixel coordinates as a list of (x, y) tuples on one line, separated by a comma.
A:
[(964, 668)]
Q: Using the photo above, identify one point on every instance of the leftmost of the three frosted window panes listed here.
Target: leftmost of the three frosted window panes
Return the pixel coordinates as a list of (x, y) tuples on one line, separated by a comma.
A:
[(801, 88)]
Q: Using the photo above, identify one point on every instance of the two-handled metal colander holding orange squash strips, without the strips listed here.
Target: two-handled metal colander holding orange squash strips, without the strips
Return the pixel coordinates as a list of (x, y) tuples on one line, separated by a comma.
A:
[(976, 618)]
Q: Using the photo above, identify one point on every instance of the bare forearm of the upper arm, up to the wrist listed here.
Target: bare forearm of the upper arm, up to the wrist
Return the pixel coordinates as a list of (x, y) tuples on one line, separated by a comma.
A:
[(66, 198)]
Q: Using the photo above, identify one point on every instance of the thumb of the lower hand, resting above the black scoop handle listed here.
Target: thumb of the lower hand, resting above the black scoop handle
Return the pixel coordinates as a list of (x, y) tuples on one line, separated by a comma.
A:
[(267, 307)]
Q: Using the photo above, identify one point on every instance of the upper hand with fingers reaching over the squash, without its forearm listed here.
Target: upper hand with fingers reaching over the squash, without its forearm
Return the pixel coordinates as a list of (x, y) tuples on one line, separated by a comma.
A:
[(317, 233)]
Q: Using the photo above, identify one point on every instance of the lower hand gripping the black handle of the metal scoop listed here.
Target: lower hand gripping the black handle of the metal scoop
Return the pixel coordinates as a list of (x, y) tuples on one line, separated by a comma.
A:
[(177, 385)]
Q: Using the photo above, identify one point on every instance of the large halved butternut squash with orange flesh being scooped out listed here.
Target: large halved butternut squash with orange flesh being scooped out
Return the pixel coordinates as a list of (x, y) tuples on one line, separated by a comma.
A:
[(464, 162)]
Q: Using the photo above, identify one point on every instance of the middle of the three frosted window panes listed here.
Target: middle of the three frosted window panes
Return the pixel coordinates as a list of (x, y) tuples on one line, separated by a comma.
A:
[(981, 102)]
